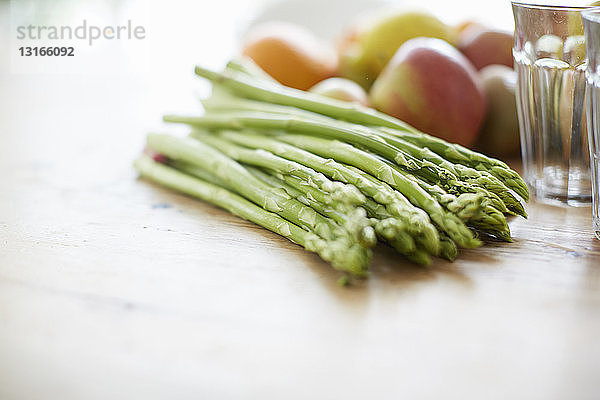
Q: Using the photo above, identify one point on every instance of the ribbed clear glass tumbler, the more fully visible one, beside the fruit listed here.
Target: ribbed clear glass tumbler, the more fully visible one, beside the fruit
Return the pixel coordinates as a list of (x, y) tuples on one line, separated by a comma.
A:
[(549, 56)]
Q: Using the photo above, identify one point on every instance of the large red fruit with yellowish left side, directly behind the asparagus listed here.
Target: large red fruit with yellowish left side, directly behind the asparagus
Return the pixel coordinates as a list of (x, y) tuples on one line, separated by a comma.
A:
[(432, 86)]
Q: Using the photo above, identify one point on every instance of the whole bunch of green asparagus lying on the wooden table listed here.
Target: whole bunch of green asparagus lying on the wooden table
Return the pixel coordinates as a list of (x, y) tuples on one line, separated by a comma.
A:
[(331, 176)]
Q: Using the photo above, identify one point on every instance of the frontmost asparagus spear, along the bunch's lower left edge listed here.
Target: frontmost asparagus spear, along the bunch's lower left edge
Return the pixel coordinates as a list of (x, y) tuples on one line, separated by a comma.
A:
[(347, 260)]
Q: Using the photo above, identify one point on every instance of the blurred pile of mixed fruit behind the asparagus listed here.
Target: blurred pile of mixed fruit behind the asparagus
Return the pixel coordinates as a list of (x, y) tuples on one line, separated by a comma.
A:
[(453, 82)]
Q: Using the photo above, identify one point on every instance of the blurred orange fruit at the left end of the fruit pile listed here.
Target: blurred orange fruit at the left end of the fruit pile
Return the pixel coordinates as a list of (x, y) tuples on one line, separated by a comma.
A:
[(291, 54)]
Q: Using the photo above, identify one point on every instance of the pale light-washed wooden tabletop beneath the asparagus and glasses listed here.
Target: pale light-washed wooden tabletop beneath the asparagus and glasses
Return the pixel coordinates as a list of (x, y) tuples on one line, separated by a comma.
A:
[(113, 288)]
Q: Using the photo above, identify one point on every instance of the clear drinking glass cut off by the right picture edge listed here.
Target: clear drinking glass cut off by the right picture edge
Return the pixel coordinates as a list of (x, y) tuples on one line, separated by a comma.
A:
[(591, 22)]
